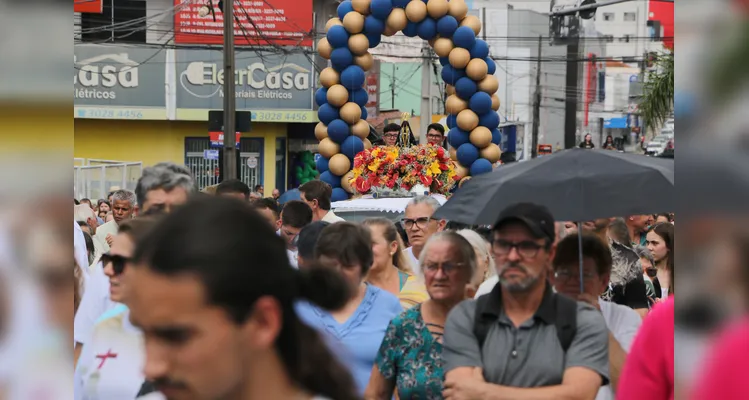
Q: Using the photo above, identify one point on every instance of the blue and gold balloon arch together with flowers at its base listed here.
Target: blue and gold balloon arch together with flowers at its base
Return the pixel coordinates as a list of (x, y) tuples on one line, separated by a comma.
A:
[(349, 162)]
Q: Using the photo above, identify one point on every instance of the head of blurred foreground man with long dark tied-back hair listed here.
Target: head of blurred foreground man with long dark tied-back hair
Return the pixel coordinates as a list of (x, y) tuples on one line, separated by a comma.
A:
[(212, 289)]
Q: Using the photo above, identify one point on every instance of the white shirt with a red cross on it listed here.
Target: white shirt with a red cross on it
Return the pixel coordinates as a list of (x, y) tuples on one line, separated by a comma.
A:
[(111, 364)]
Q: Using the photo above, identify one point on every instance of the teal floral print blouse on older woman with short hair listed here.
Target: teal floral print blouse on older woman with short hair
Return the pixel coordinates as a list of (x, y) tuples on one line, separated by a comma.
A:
[(412, 357)]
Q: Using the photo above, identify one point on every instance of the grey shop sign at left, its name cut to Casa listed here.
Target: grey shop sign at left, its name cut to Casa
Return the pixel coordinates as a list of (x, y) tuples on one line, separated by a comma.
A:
[(115, 82)]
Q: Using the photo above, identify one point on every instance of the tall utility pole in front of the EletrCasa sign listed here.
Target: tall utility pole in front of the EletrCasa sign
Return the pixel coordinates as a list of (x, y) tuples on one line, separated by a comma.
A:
[(230, 148)]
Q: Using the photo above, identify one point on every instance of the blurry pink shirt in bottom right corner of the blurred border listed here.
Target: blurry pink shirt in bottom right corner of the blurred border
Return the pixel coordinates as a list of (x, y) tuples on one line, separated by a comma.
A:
[(727, 365)]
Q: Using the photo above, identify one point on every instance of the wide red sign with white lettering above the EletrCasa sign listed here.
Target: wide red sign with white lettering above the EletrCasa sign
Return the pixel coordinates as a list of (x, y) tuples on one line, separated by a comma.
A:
[(256, 22)]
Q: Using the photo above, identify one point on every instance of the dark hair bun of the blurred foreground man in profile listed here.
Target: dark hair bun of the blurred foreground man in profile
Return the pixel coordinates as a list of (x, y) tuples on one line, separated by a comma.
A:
[(324, 287)]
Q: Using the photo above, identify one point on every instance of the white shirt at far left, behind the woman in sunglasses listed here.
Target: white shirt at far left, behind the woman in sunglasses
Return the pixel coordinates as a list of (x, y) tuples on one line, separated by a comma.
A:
[(94, 303)]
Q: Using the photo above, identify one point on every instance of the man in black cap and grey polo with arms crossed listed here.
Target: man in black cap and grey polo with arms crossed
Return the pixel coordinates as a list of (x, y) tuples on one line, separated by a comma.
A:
[(523, 341)]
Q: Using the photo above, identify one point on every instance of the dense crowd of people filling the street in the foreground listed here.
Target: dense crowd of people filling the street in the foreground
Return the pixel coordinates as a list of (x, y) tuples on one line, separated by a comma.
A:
[(188, 295)]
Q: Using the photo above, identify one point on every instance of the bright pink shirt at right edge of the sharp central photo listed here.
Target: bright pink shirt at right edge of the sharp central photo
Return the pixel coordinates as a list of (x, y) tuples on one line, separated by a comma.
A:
[(649, 370)]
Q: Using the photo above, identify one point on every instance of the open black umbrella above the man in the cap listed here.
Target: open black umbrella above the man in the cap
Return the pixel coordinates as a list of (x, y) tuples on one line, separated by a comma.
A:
[(575, 185)]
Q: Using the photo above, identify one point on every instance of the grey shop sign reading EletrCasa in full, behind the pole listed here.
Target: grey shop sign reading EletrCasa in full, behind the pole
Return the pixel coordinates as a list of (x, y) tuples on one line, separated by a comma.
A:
[(275, 87)]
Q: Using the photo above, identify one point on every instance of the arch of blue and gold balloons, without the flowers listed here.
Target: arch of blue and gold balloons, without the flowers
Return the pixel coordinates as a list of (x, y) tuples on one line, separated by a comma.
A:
[(467, 70)]
